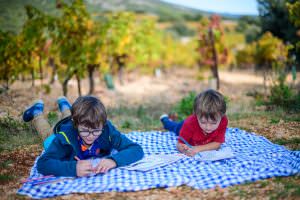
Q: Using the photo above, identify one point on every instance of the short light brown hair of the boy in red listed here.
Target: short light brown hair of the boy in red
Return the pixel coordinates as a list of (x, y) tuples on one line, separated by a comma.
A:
[(209, 104)]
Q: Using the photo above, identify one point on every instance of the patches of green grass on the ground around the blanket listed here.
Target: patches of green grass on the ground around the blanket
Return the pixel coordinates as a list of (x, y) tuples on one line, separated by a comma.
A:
[(14, 133)]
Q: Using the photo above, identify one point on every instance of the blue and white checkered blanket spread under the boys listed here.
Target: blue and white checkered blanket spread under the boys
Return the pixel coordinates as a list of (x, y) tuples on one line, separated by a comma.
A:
[(256, 158)]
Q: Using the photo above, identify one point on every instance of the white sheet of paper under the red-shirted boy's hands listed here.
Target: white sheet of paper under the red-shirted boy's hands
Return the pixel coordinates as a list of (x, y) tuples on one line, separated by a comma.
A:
[(223, 153)]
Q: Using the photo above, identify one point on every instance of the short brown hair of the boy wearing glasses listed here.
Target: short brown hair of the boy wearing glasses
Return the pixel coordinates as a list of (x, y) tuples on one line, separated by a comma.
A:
[(88, 111)]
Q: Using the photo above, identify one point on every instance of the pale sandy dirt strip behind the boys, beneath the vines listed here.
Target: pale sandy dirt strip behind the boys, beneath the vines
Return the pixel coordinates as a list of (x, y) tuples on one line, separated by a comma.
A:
[(137, 89)]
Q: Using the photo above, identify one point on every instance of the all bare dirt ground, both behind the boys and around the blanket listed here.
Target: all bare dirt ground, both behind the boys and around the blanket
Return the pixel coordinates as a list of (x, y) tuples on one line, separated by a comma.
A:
[(138, 90)]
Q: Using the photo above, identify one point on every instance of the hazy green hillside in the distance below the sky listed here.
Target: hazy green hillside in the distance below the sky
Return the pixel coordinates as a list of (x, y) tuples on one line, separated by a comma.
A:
[(12, 12)]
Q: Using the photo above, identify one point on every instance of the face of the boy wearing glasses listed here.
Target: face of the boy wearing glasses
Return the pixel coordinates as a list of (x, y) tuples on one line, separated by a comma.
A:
[(89, 135)]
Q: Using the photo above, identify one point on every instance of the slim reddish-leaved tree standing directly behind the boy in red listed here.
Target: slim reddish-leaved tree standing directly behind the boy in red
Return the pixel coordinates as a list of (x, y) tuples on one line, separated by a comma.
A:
[(211, 46)]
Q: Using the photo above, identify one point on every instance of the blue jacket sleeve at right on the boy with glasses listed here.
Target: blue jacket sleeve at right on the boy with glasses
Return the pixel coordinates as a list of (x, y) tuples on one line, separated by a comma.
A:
[(128, 151)]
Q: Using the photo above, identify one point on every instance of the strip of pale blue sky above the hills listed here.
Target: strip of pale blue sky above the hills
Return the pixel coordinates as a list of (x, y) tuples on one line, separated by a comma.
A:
[(243, 7)]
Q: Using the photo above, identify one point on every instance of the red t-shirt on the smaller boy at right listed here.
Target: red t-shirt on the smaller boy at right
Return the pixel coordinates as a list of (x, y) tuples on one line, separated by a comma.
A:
[(194, 135)]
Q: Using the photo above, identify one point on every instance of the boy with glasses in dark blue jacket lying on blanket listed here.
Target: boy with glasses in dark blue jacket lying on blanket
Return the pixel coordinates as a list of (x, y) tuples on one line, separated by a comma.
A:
[(84, 135)]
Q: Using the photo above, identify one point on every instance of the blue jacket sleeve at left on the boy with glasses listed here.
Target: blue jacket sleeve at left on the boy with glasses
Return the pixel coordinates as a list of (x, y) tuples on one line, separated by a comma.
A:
[(56, 160)]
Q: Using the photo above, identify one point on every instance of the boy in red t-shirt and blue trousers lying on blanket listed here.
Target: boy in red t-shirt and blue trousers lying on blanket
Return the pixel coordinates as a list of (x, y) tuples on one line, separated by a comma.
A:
[(205, 129)]
